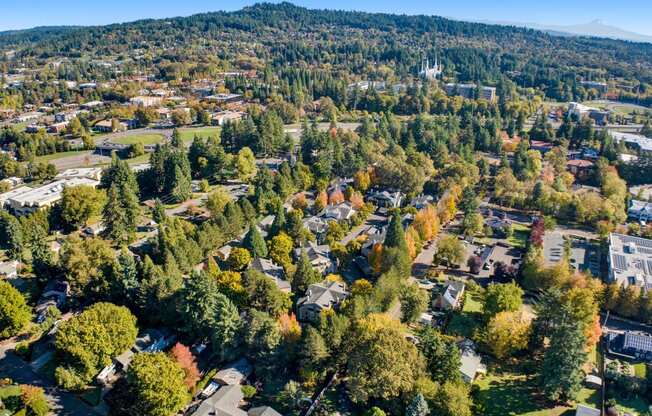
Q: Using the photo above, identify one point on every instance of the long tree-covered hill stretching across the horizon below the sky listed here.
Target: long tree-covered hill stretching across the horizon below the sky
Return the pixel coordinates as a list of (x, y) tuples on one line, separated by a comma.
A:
[(358, 43)]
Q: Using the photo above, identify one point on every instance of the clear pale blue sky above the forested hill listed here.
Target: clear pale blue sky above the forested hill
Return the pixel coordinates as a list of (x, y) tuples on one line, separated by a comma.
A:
[(633, 15)]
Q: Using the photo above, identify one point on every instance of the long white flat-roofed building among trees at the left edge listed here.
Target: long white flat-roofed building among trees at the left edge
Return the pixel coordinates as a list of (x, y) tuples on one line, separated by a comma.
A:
[(25, 200)]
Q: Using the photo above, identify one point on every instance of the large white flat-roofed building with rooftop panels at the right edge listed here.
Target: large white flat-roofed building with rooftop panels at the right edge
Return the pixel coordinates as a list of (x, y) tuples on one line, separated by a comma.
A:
[(630, 260)]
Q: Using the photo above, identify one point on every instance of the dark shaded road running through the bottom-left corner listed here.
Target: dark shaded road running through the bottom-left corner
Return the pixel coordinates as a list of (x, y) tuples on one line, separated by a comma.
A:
[(62, 402)]
